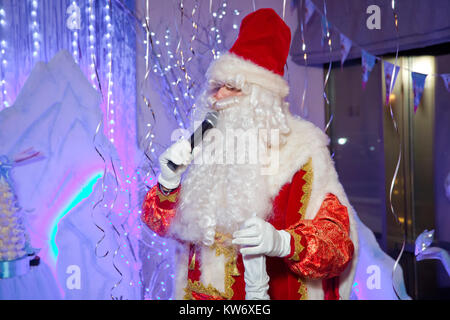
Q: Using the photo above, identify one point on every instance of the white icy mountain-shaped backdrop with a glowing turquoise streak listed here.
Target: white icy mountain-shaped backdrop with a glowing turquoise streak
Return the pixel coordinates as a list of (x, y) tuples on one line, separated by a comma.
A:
[(57, 113)]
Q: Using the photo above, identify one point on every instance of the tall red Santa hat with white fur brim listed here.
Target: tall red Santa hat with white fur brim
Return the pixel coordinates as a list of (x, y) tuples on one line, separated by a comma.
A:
[(258, 56)]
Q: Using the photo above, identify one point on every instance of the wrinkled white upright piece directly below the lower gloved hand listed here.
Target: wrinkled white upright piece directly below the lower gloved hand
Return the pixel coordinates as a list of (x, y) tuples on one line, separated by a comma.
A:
[(255, 277)]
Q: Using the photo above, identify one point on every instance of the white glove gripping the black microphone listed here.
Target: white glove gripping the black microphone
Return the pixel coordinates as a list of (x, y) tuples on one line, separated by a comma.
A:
[(180, 154)]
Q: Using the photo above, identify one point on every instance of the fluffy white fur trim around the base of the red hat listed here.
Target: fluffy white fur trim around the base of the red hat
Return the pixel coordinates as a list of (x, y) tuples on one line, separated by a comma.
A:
[(236, 71)]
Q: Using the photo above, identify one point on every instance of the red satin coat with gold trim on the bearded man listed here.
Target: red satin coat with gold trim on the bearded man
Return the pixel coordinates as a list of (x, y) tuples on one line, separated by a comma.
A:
[(321, 248)]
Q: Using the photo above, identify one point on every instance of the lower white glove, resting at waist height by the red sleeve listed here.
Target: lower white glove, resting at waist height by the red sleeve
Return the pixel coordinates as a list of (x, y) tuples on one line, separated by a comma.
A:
[(260, 237)]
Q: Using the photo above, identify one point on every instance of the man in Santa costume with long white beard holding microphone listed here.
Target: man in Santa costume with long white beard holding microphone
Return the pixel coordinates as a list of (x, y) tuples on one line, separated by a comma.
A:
[(280, 227)]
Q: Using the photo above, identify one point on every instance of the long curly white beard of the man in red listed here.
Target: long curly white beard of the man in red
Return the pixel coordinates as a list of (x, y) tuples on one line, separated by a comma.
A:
[(219, 197)]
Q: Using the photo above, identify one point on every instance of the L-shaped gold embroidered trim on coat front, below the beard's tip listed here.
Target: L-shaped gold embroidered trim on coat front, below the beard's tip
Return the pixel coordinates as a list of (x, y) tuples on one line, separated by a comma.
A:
[(230, 253)]
